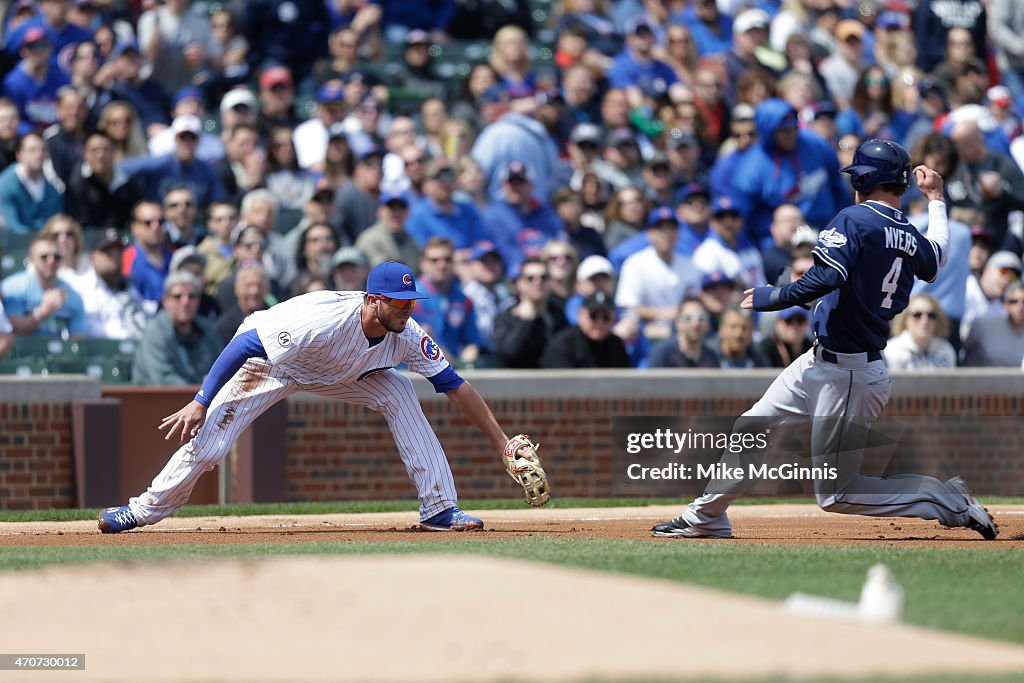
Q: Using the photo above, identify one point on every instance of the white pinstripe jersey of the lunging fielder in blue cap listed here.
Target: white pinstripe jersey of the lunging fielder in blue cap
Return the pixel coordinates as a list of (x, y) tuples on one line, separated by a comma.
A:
[(319, 338)]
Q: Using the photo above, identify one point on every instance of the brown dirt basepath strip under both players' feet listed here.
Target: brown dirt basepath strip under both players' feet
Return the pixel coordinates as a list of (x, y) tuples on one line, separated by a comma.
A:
[(796, 525)]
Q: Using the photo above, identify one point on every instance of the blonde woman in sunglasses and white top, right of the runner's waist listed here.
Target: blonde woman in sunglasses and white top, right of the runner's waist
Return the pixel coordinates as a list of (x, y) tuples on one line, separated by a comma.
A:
[(919, 340)]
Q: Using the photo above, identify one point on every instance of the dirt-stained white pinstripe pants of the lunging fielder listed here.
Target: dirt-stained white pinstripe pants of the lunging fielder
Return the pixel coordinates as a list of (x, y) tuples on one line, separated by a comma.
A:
[(257, 388)]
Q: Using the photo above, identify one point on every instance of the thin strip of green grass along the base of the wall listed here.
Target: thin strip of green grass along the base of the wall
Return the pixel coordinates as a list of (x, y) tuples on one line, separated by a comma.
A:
[(351, 507)]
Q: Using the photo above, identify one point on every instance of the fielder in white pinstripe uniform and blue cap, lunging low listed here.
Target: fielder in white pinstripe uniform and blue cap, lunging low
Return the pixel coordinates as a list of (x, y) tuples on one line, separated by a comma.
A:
[(344, 346)]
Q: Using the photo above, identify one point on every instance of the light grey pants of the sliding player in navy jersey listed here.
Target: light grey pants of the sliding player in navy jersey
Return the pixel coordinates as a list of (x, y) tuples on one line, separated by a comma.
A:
[(850, 395)]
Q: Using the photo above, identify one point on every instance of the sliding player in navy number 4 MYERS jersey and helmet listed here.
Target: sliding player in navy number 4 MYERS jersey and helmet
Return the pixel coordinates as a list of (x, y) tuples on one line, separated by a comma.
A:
[(865, 267)]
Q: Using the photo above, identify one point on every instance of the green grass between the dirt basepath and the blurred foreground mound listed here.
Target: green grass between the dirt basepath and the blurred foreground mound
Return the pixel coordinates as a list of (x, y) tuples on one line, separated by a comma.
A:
[(952, 589)]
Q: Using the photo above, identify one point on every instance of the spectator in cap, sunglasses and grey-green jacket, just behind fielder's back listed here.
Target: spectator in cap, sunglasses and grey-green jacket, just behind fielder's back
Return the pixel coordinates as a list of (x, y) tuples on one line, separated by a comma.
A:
[(178, 348)]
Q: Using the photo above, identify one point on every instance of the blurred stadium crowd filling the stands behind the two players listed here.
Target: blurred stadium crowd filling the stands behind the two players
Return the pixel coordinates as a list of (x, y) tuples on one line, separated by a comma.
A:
[(593, 190)]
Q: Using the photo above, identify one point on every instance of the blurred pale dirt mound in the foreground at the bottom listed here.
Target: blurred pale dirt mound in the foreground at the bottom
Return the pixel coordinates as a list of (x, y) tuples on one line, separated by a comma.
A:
[(440, 618)]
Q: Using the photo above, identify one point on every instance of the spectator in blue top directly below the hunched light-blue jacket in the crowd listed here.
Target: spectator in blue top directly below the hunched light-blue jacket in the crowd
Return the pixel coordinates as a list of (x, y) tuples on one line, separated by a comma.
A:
[(519, 224)]
